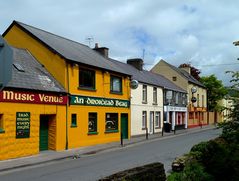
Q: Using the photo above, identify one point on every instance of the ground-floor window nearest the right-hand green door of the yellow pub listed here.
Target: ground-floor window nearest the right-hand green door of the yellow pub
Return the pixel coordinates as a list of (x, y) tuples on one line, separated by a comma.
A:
[(111, 123)]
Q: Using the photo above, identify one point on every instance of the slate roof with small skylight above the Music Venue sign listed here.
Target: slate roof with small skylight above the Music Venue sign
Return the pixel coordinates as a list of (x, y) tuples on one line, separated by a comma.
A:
[(28, 73)]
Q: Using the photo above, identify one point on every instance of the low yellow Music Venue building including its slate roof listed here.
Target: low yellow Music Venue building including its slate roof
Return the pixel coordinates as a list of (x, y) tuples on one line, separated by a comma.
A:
[(32, 109)]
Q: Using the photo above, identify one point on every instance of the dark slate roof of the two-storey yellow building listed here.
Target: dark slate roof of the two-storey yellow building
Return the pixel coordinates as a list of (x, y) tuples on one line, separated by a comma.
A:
[(68, 49)]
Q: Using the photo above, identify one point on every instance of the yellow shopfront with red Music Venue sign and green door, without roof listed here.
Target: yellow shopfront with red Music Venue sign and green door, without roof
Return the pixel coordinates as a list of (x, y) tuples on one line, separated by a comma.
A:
[(31, 122)]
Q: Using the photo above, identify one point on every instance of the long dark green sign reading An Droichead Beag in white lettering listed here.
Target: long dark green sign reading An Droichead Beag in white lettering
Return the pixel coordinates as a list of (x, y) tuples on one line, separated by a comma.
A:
[(98, 101)]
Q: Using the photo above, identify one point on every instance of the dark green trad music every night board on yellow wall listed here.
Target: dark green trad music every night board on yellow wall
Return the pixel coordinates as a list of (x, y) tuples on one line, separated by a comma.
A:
[(22, 124)]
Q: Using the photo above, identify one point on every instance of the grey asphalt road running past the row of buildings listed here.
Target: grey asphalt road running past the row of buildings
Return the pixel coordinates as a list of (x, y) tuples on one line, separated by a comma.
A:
[(93, 167)]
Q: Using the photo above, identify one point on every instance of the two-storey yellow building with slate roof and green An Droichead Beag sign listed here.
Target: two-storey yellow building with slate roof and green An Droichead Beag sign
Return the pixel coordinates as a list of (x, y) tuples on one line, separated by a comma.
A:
[(99, 93)]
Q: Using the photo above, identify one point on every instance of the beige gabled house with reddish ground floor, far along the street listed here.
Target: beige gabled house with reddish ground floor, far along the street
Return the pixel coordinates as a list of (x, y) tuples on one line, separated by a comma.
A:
[(196, 91)]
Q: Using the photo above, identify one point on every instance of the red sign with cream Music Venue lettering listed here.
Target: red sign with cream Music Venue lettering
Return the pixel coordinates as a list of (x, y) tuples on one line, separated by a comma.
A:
[(27, 97)]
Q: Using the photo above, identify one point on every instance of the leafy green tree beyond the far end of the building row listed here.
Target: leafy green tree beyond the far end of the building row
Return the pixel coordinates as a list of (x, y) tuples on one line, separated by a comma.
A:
[(215, 89)]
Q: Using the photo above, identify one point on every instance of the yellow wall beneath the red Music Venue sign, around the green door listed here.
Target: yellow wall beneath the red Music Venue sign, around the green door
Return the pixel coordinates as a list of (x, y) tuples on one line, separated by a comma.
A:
[(11, 147)]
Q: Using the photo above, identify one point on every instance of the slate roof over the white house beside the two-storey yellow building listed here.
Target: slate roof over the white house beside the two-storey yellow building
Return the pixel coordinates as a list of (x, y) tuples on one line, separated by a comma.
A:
[(148, 77)]
